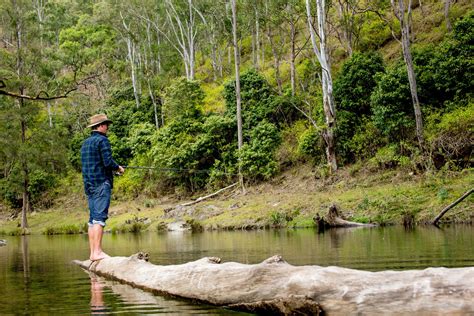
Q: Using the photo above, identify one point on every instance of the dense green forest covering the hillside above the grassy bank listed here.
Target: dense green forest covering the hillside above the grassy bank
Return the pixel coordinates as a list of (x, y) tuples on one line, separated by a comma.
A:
[(208, 93)]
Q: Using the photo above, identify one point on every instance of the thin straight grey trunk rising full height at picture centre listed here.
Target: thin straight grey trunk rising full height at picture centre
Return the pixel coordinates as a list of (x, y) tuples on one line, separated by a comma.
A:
[(237, 88)]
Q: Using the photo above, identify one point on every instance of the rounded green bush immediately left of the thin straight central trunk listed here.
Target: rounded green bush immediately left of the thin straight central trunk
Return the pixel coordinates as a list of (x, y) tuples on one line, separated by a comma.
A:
[(193, 145)]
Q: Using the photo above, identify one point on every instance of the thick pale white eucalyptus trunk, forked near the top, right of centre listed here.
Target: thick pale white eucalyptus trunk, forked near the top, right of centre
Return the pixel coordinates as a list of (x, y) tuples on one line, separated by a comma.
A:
[(322, 54)]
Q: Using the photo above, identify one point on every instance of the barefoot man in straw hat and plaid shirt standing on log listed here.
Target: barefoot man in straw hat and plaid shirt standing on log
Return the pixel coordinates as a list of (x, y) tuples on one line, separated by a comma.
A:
[(97, 173)]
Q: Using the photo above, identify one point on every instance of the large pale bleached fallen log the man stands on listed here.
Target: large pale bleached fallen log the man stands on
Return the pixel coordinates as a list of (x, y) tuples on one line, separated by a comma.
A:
[(277, 287)]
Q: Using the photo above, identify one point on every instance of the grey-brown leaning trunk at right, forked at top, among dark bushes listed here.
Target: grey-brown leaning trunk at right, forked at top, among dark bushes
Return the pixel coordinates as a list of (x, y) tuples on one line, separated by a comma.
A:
[(405, 25)]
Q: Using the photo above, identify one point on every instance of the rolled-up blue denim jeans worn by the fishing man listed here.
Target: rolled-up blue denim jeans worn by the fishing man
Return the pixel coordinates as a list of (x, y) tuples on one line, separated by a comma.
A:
[(99, 202)]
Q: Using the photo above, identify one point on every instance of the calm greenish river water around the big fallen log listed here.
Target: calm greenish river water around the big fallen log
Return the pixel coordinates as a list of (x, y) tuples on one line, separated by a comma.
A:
[(37, 276)]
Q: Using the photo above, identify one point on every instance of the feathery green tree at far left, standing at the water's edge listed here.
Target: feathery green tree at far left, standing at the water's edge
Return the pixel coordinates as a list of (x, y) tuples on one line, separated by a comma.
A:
[(28, 73)]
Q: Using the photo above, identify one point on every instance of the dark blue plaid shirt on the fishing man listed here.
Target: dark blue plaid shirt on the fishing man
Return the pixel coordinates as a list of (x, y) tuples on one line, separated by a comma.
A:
[(97, 162)]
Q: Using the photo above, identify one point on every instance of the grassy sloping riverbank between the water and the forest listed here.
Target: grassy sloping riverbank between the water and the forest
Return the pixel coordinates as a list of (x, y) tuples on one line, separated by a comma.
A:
[(289, 200)]
